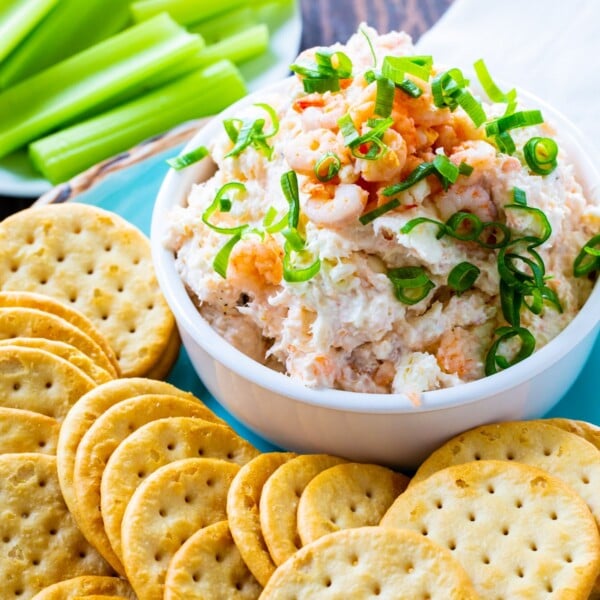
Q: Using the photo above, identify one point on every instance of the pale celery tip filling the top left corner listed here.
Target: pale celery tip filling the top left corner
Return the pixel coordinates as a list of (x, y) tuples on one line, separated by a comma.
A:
[(17, 19)]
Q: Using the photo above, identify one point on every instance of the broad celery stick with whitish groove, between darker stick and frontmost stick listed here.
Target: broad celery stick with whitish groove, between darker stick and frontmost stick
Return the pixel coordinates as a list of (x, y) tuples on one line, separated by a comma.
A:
[(46, 101)]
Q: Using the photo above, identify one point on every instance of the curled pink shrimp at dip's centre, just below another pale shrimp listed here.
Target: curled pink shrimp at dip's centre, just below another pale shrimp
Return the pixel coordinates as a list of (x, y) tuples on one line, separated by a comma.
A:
[(346, 205)]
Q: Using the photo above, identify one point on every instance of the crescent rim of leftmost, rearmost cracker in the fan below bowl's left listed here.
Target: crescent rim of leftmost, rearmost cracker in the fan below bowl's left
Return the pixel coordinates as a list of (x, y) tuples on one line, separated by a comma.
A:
[(88, 408)]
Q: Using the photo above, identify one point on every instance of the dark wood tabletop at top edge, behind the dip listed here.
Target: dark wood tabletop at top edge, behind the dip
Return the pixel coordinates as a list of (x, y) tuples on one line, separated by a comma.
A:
[(329, 21)]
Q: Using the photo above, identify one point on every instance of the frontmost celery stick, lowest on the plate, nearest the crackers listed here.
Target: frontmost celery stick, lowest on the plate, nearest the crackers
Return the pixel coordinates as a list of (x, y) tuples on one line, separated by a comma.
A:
[(202, 93)]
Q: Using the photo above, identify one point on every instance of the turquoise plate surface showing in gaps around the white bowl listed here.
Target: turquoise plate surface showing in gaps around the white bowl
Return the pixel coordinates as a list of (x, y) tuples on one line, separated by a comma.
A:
[(131, 194)]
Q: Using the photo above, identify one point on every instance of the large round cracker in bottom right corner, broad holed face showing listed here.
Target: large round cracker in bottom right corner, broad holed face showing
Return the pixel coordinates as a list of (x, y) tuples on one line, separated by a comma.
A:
[(518, 531)]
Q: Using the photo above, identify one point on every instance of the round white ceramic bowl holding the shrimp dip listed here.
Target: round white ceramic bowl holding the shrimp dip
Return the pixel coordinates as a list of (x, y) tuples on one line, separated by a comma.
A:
[(383, 428)]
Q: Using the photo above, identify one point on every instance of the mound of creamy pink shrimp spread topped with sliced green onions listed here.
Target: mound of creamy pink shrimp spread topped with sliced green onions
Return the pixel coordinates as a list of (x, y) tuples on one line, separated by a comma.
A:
[(377, 226)]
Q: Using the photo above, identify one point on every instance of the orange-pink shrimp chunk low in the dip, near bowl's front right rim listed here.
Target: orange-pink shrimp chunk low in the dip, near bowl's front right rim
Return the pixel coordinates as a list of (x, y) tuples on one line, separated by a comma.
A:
[(460, 352)]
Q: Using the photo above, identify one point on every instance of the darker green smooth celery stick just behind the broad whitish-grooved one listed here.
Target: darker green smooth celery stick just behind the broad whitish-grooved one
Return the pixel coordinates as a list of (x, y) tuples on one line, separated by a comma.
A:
[(71, 27)]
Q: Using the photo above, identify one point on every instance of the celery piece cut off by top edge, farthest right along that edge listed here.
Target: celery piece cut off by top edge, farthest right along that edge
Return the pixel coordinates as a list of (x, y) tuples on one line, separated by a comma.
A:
[(185, 12)]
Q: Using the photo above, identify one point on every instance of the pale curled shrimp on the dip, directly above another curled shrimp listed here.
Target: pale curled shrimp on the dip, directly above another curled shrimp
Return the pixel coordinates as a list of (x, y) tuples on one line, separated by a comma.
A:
[(309, 147)]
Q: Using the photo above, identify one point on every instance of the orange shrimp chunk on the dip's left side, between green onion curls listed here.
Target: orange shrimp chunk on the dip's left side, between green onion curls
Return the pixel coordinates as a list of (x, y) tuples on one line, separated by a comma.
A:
[(255, 264)]
